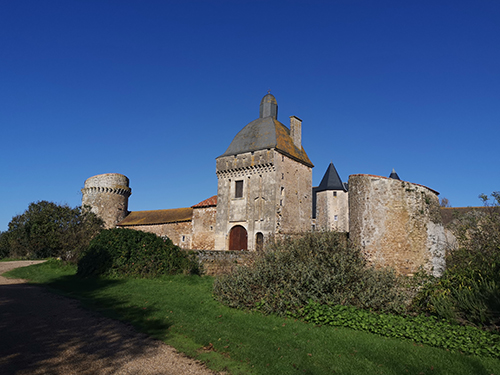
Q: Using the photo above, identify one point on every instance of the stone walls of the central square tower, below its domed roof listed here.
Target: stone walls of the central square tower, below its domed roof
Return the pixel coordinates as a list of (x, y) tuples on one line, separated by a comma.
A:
[(276, 196)]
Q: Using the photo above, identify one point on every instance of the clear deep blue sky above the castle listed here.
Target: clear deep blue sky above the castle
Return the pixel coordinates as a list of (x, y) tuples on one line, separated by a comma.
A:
[(156, 90)]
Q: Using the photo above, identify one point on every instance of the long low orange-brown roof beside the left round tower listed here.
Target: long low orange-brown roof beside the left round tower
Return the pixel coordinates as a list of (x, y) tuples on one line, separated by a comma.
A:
[(173, 215)]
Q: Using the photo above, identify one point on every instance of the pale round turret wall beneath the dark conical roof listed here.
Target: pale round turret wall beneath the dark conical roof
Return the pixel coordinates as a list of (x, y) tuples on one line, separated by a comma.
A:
[(332, 210)]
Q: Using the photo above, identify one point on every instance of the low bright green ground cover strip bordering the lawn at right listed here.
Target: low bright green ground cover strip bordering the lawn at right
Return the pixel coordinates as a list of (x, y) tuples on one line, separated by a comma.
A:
[(421, 329)]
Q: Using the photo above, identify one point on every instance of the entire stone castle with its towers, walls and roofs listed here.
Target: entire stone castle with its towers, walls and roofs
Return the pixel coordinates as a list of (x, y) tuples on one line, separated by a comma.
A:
[(265, 189)]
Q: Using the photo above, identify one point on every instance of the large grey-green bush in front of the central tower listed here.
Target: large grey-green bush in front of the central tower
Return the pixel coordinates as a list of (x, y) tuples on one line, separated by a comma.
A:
[(318, 266)]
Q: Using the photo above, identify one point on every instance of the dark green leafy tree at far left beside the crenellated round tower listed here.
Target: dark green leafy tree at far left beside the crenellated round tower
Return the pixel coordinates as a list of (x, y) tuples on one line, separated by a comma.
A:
[(47, 229)]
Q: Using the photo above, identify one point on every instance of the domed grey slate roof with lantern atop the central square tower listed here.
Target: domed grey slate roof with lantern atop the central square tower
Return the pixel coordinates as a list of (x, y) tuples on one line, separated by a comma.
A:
[(267, 132)]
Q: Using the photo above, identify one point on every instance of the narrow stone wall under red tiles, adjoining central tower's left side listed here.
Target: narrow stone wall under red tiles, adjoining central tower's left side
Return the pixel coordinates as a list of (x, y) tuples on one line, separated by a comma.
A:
[(204, 228)]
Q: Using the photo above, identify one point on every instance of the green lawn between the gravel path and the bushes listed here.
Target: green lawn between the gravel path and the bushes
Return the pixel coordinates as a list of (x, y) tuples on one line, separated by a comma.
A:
[(180, 311)]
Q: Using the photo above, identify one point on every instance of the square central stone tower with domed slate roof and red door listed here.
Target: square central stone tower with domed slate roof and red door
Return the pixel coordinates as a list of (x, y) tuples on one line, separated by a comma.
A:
[(264, 183)]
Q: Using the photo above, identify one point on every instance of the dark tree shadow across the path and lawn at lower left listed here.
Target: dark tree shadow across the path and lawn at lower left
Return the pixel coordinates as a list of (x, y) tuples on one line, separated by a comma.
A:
[(43, 332)]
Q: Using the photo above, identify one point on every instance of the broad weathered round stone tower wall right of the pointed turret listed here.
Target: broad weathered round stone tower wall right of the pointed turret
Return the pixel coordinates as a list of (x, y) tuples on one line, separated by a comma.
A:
[(396, 223)]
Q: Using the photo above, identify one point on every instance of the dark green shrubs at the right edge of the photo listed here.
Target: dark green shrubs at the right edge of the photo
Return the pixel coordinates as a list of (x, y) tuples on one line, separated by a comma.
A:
[(469, 290)]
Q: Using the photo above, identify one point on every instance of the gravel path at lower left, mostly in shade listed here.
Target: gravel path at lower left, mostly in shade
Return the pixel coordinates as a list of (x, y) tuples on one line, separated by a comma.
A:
[(43, 333)]
